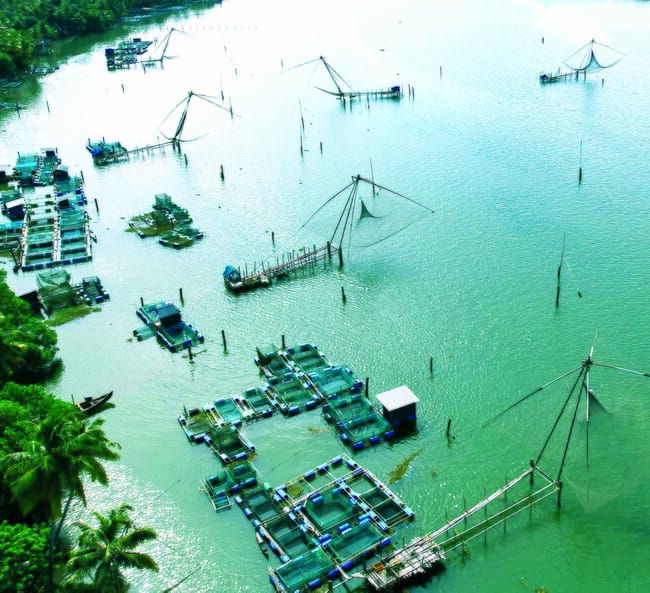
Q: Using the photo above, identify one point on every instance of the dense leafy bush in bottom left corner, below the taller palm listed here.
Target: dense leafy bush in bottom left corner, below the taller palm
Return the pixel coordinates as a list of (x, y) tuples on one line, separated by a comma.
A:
[(23, 558)]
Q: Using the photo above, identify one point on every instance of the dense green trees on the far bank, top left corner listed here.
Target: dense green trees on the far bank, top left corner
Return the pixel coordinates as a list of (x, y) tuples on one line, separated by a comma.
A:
[(27, 27)]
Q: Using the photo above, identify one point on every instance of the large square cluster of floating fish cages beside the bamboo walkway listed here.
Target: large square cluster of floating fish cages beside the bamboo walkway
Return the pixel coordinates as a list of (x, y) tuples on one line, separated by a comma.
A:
[(320, 532)]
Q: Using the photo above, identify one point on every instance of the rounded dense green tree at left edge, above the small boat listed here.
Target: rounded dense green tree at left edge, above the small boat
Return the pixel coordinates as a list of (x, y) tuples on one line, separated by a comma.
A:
[(27, 346)]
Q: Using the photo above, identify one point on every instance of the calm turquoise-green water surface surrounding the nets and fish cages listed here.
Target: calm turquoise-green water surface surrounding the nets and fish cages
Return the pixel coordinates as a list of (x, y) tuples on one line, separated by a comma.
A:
[(496, 156)]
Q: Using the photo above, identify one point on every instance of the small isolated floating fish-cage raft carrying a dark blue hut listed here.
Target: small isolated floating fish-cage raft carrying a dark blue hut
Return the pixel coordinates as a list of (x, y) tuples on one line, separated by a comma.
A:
[(163, 320)]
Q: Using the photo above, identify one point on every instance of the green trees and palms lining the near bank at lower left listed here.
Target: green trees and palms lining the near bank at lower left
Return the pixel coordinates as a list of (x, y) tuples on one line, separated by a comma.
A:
[(49, 450)]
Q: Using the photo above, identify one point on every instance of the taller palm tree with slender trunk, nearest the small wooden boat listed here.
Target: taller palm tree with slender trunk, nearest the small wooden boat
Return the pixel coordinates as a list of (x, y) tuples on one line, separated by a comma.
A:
[(64, 450)]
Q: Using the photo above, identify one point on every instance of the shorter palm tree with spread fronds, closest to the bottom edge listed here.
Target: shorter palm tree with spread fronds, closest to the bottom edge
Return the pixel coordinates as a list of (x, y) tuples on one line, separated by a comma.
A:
[(105, 550)]
